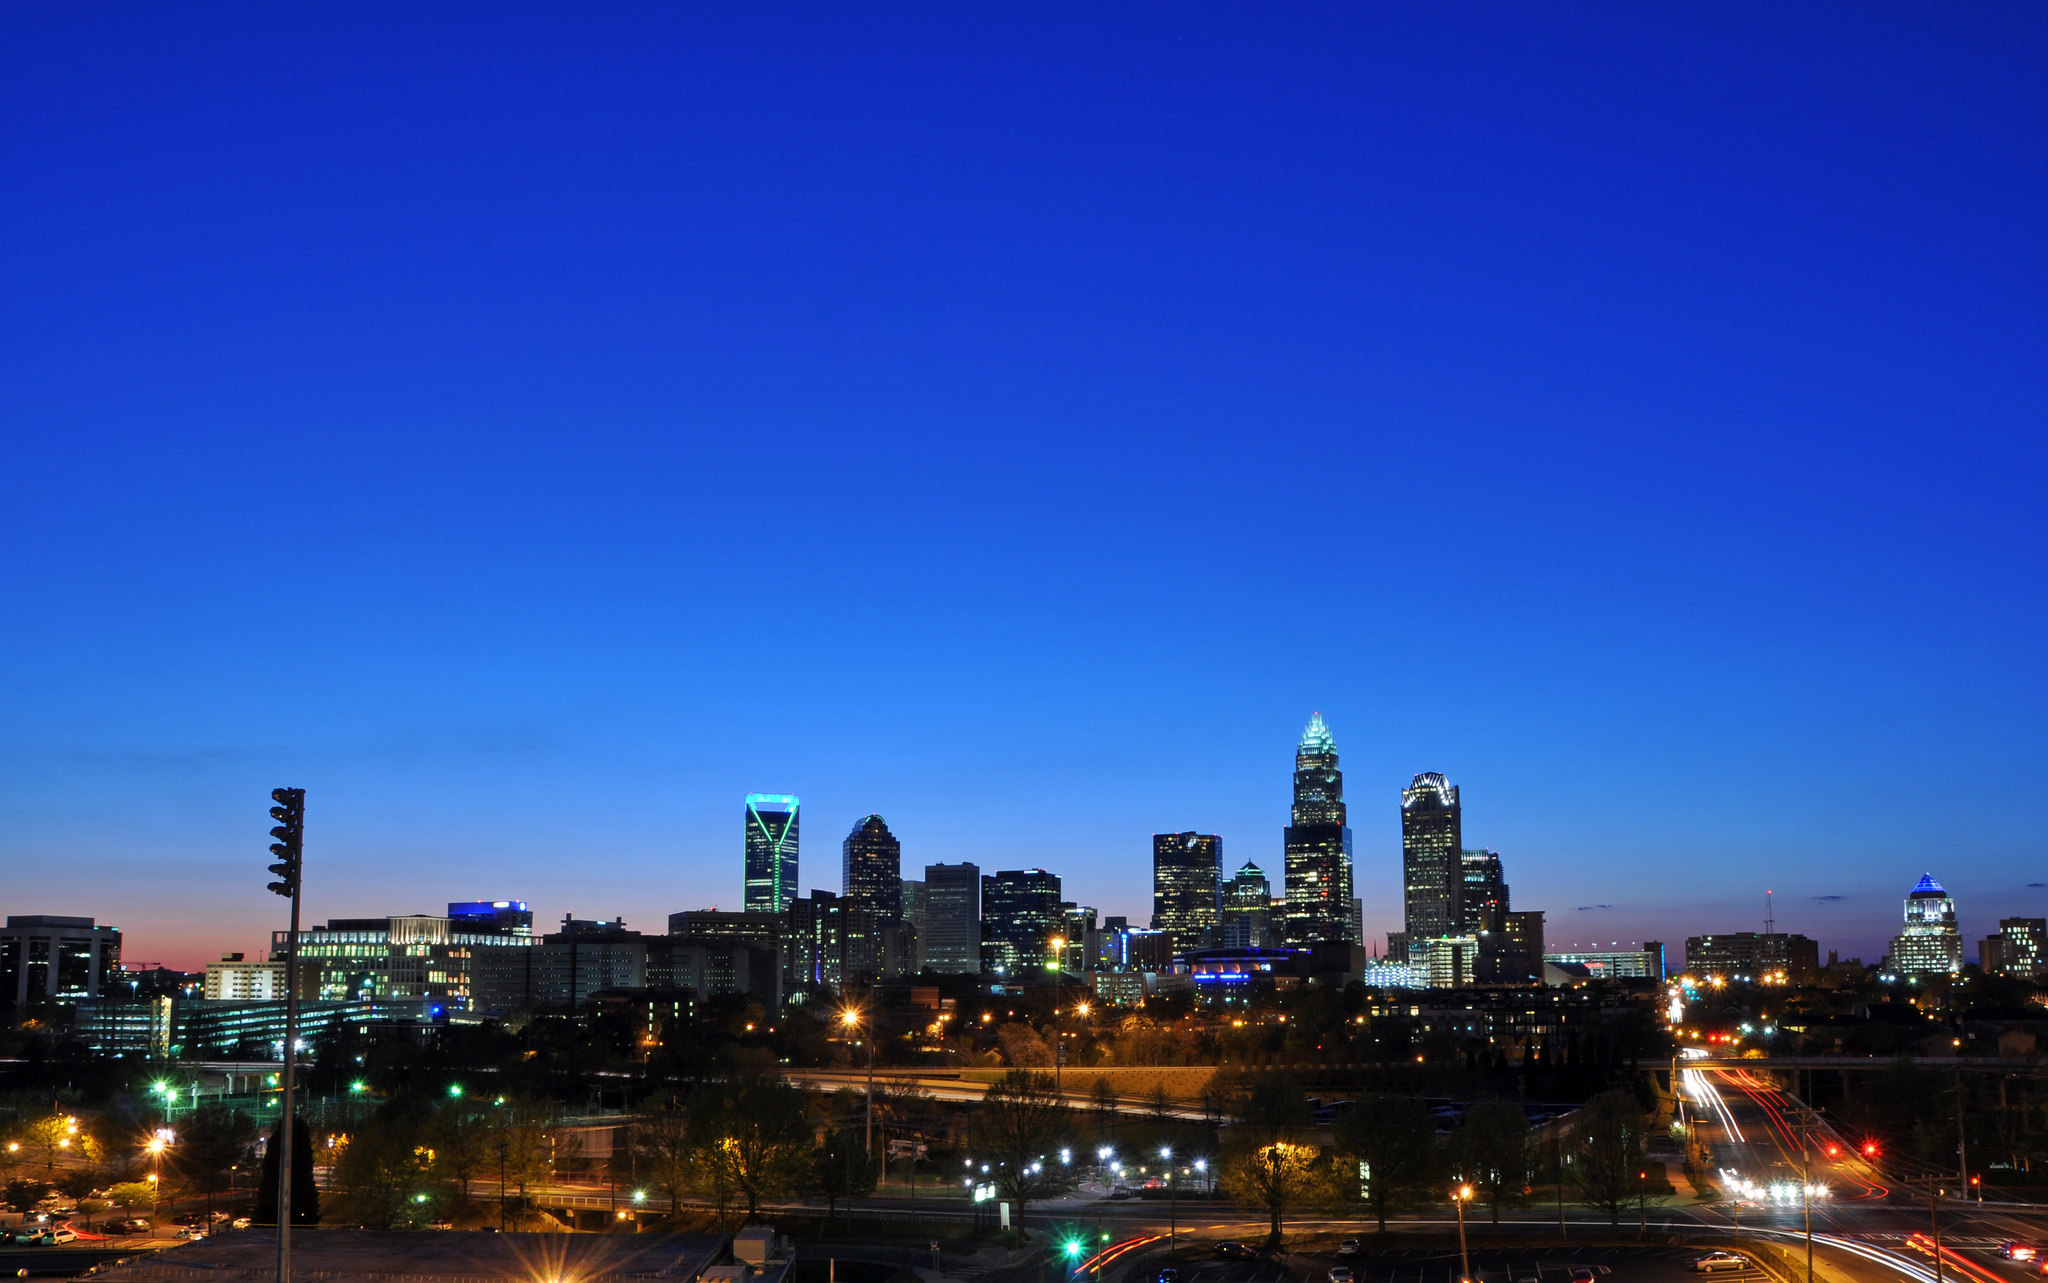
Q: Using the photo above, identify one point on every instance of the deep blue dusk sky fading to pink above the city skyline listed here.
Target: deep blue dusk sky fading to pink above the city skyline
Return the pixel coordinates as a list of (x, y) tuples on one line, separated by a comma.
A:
[(534, 429)]
